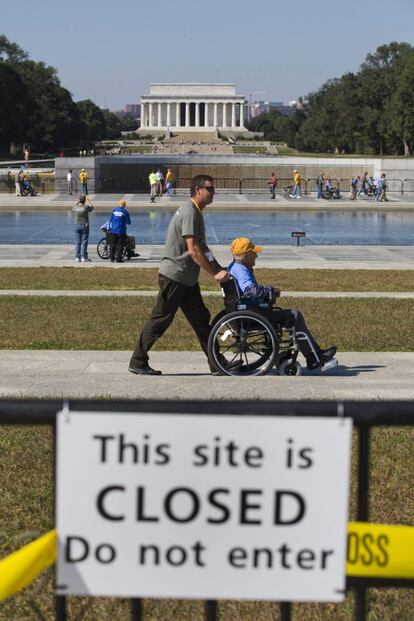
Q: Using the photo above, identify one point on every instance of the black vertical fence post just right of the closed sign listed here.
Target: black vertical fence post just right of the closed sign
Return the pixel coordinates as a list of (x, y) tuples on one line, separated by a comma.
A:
[(363, 507)]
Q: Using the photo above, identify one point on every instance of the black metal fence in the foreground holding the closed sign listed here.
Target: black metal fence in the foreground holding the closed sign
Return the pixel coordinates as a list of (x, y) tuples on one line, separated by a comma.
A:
[(365, 416)]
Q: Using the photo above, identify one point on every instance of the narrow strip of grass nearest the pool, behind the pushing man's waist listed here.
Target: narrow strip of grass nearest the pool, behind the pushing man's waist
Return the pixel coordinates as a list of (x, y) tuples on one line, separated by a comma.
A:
[(134, 278)]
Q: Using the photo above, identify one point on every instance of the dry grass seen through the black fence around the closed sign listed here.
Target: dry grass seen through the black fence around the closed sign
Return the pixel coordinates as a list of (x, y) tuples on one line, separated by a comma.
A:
[(26, 511)]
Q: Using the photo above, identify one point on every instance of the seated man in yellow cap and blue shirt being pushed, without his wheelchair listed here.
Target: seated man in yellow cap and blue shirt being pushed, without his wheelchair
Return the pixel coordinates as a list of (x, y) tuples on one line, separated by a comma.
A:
[(264, 296)]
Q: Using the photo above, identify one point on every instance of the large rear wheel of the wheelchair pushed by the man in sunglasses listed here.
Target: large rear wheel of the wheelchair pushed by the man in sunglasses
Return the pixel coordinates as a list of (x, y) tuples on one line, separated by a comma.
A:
[(246, 338)]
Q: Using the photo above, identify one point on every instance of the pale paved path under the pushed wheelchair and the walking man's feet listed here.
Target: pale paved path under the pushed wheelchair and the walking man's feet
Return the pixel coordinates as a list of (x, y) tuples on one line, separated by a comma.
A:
[(103, 374)]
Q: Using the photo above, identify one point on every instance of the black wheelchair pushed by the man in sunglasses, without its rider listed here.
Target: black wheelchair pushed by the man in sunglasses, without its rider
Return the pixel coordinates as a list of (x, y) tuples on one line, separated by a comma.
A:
[(244, 336)]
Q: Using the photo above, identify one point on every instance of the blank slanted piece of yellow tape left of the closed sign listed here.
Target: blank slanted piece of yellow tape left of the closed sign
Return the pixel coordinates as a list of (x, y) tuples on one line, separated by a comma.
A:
[(20, 568)]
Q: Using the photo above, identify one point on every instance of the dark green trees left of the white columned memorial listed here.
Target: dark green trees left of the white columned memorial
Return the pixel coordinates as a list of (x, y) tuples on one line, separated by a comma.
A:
[(35, 109)]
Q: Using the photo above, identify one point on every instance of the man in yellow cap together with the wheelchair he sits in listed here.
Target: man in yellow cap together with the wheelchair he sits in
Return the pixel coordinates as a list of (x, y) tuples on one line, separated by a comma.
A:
[(256, 334)]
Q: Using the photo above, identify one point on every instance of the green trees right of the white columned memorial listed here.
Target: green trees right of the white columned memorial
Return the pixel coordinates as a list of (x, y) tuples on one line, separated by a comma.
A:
[(369, 112)]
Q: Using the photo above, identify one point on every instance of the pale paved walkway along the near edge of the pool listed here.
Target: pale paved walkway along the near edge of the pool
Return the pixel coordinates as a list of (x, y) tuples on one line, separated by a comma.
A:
[(287, 257)]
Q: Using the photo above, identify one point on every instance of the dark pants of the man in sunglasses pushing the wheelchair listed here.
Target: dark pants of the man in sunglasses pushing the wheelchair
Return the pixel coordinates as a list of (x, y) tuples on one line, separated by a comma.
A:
[(172, 296)]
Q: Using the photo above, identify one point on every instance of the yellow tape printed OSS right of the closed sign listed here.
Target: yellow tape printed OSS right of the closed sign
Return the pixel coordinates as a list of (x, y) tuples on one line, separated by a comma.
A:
[(380, 551)]
